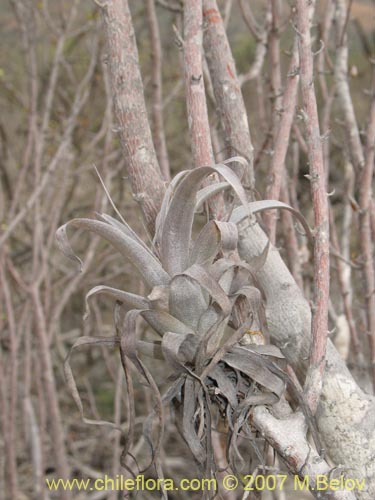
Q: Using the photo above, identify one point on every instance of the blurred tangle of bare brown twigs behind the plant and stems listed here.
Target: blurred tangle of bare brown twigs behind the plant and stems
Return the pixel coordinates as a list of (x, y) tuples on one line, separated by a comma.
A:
[(56, 123)]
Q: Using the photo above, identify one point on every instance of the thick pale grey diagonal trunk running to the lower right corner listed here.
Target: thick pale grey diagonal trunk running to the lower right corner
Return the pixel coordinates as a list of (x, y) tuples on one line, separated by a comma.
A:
[(346, 415)]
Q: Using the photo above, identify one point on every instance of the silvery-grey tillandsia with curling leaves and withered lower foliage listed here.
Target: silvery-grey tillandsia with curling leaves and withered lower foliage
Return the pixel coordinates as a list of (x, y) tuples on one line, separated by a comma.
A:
[(205, 304)]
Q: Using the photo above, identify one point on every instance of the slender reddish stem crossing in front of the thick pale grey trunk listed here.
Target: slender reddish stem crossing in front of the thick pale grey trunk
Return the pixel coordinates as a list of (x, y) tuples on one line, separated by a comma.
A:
[(315, 372)]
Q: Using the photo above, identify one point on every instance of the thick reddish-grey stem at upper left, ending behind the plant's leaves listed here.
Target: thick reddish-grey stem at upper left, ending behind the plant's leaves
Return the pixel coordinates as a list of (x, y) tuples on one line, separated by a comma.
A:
[(130, 110)]
